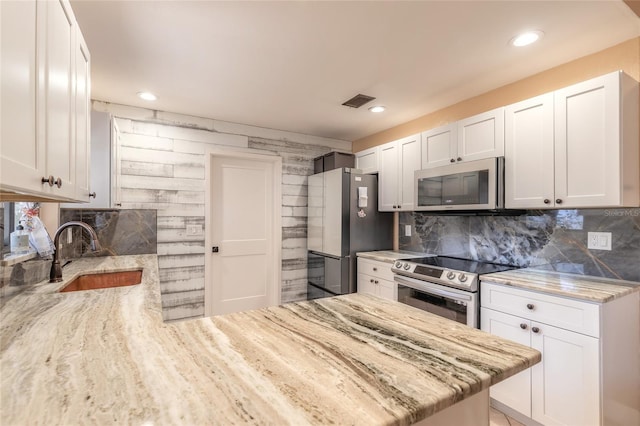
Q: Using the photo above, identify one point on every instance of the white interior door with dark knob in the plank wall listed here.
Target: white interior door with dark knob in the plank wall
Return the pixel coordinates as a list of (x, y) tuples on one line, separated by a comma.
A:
[(242, 214)]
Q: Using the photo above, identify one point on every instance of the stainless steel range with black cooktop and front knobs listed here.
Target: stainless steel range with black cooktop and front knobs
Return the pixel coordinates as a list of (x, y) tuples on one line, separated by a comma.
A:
[(443, 285)]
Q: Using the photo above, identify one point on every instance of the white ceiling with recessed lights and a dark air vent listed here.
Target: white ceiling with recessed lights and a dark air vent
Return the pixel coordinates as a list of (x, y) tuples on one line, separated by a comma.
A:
[(290, 65)]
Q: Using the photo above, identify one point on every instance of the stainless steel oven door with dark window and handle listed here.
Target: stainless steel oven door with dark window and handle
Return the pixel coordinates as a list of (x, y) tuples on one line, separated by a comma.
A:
[(456, 305)]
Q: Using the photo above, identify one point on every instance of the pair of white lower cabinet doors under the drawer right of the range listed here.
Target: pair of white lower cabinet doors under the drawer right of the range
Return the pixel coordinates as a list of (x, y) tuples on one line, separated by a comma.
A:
[(563, 389)]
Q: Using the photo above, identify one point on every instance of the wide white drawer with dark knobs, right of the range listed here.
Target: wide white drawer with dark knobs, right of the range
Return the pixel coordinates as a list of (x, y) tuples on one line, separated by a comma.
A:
[(569, 314)]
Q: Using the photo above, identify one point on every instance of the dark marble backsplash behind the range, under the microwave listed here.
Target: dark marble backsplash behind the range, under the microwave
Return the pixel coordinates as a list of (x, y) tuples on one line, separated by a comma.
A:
[(557, 238)]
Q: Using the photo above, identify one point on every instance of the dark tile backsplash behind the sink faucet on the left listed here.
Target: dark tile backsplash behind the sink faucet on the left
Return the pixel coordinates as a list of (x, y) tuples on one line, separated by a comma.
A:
[(120, 232)]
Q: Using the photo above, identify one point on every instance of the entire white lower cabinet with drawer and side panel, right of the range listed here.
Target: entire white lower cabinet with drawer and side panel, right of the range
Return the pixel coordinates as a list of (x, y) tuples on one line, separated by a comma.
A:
[(587, 364)]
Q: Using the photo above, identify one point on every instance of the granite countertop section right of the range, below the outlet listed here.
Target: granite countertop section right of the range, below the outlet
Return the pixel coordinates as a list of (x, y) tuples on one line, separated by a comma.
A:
[(582, 287)]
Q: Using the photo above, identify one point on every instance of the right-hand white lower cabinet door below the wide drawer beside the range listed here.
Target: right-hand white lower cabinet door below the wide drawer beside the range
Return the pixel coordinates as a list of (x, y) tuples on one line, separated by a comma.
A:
[(566, 384)]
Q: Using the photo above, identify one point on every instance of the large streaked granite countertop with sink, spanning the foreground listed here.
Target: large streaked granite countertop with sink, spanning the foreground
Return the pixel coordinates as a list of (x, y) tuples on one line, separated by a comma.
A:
[(106, 356)]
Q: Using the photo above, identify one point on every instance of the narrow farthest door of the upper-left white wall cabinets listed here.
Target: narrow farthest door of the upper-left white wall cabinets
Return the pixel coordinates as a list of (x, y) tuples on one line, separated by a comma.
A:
[(82, 118)]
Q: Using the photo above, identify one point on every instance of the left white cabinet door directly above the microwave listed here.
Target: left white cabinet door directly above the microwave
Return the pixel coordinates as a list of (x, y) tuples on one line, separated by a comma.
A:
[(439, 146)]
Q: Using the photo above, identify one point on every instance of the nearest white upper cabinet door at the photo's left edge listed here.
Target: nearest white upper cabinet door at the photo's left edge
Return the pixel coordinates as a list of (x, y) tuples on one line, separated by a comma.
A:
[(22, 150)]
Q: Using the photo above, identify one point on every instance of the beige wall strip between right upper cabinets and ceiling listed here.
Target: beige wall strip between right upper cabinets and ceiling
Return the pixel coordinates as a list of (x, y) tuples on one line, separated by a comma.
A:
[(624, 56)]
